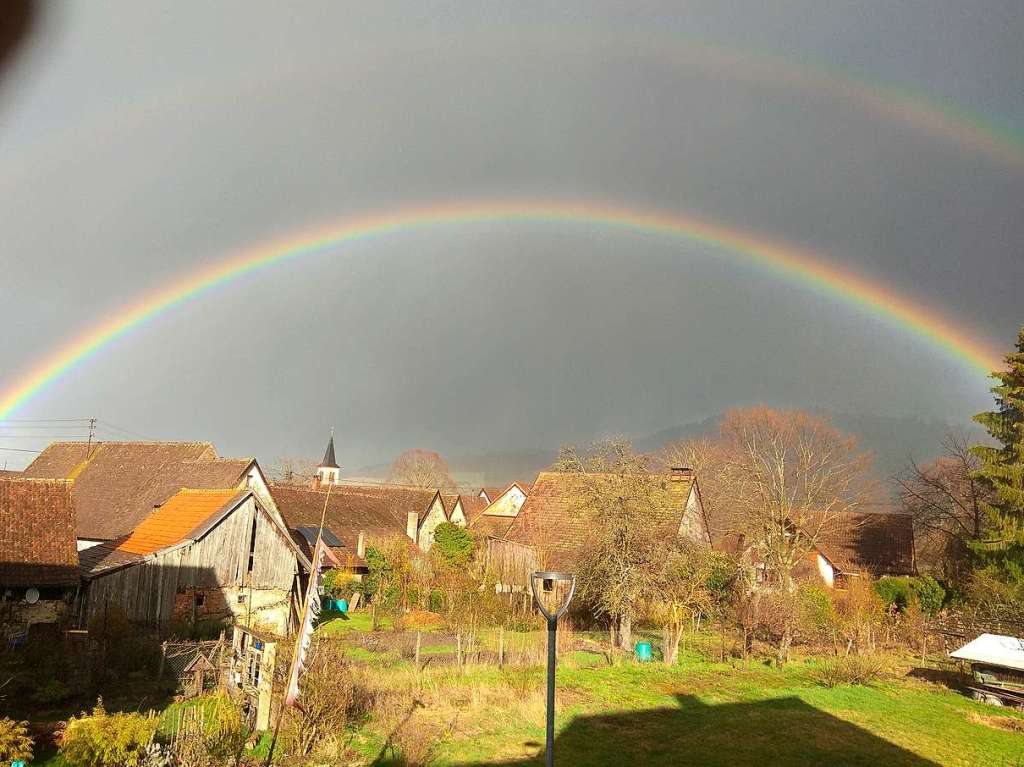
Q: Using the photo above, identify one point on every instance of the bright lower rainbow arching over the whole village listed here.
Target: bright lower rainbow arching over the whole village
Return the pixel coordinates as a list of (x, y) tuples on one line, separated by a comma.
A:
[(787, 262)]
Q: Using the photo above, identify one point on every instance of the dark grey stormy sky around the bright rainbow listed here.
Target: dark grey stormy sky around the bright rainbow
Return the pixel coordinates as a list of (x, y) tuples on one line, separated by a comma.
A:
[(141, 143)]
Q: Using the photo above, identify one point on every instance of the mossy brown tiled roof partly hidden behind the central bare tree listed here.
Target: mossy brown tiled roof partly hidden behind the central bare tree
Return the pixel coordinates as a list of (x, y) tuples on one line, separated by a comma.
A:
[(553, 520)]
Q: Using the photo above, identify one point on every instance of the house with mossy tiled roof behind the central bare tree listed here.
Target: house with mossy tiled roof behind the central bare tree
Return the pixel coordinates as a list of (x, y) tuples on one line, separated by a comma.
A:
[(553, 523)]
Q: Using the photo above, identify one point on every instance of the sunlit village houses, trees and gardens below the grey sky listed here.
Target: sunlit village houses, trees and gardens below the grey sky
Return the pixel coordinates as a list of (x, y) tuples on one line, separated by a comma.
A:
[(215, 613)]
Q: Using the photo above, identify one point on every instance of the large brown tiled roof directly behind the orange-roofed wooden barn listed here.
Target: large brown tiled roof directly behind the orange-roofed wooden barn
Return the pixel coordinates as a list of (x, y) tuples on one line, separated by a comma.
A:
[(117, 485)]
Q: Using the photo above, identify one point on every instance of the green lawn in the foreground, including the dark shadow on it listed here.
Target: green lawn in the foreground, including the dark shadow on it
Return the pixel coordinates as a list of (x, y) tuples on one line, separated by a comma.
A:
[(702, 714)]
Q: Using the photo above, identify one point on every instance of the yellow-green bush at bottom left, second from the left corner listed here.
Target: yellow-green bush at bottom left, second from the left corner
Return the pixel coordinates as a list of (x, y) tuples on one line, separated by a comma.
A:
[(103, 740)]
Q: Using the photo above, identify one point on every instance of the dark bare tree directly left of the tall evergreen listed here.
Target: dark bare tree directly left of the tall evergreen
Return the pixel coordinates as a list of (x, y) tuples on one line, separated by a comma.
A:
[(948, 505)]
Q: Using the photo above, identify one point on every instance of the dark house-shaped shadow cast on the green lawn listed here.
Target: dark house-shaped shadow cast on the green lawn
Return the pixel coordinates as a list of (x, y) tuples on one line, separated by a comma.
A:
[(780, 732)]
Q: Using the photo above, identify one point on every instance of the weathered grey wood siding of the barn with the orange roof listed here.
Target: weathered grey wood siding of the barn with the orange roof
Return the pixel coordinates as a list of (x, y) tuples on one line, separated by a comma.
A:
[(146, 592)]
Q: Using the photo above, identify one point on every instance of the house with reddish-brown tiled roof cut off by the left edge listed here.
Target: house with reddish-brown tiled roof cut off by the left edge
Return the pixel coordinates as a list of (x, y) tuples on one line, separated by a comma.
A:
[(38, 558)]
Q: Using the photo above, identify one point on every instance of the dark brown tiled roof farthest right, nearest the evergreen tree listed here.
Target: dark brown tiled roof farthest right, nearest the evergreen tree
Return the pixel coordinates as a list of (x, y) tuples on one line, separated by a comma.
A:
[(881, 544)]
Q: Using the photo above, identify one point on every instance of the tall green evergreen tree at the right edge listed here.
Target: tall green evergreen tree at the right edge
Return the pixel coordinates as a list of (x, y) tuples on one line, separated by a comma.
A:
[(1002, 474)]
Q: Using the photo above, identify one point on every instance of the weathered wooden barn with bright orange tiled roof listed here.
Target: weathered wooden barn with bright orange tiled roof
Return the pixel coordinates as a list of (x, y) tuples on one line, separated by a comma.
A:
[(201, 555)]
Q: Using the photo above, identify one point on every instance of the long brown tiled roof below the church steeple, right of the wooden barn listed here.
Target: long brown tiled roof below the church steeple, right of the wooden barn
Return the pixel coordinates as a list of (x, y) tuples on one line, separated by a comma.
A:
[(380, 512)]
